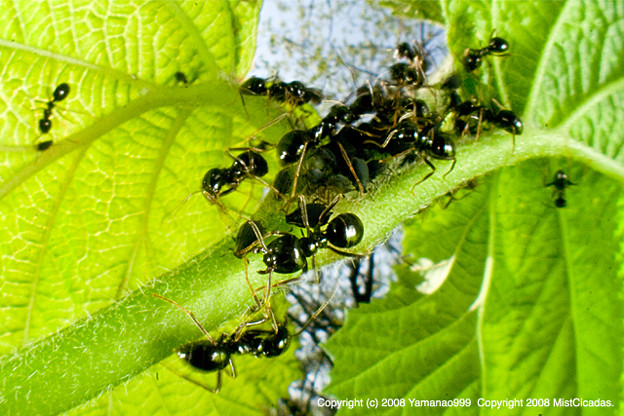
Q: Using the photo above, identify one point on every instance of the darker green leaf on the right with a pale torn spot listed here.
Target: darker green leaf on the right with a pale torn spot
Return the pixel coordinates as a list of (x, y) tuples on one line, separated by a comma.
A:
[(530, 304)]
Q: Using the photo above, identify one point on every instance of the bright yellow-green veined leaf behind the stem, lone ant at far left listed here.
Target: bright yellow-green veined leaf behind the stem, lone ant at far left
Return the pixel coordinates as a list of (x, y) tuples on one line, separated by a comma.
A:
[(99, 213)]
